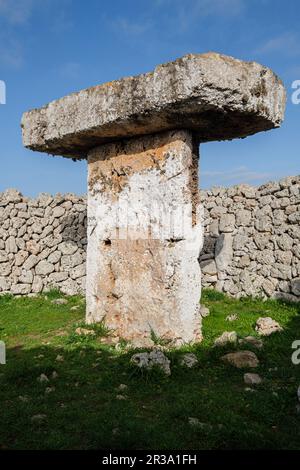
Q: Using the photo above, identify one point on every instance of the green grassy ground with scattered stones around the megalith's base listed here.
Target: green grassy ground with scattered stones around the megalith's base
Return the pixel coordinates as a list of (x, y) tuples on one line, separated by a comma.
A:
[(81, 407)]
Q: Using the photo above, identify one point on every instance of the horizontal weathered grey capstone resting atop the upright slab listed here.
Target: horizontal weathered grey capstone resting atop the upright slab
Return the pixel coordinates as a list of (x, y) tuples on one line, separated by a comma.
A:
[(215, 96)]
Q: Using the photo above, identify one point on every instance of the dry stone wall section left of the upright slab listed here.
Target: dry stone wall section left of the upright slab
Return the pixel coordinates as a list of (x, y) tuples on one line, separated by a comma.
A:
[(42, 243)]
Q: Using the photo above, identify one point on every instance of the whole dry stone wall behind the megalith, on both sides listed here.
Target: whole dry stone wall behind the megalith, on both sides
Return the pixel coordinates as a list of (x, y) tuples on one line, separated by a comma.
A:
[(251, 241)]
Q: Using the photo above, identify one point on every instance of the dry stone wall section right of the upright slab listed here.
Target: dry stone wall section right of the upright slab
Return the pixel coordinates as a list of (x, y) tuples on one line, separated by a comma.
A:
[(252, 239)]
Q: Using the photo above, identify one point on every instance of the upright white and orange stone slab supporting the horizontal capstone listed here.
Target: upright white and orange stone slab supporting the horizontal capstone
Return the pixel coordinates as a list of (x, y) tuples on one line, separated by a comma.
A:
[(145, 237)]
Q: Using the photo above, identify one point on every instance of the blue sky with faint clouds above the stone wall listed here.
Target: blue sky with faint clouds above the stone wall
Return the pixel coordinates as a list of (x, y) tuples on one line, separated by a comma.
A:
[(49, 48)]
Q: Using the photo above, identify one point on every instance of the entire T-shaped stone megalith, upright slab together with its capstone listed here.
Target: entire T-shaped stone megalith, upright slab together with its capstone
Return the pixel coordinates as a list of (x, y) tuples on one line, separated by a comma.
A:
[(141, 138)]
